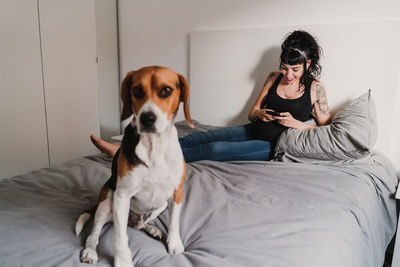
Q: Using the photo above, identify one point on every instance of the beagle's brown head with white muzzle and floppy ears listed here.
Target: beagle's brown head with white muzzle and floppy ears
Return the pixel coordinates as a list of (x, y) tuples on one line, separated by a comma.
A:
[(153, 95)]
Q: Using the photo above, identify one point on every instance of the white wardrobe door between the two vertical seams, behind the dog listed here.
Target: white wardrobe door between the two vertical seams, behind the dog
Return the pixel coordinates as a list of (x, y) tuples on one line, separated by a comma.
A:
[(68, 34)]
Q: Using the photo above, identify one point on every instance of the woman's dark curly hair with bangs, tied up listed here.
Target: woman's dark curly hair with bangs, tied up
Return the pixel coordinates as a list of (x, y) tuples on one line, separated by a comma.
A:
[(297, 48)]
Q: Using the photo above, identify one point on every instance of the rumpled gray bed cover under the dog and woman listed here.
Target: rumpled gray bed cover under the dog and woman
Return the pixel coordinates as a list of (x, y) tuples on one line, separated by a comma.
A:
[(234, 214)]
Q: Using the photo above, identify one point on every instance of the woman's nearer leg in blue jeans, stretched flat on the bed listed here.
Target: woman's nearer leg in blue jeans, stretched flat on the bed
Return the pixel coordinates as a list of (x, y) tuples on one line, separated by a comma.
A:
[(229, 151)]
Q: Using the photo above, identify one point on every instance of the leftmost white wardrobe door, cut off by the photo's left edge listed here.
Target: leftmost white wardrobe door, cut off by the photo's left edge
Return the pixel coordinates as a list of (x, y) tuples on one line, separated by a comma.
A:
[(23, 137)]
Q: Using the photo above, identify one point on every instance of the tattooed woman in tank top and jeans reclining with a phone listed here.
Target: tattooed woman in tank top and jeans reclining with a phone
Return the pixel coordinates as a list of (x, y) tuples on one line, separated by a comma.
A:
[(293, 92)]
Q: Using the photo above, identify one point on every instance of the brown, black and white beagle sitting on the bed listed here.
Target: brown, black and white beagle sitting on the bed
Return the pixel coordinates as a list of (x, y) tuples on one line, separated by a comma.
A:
[(148, 171)]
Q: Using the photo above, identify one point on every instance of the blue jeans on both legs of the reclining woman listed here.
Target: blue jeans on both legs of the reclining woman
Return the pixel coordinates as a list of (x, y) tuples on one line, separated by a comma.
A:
[(224, 144)]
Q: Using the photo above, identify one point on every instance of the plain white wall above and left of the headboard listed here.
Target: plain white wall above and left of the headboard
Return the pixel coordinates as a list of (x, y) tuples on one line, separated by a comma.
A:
[(157, 31)]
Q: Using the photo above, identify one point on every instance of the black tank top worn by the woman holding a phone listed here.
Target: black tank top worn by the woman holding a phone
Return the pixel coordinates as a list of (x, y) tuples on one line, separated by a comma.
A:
[(300, 108)]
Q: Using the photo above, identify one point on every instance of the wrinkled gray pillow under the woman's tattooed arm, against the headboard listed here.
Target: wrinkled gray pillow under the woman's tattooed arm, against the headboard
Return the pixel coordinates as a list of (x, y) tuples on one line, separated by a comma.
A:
[(350, 136)]
